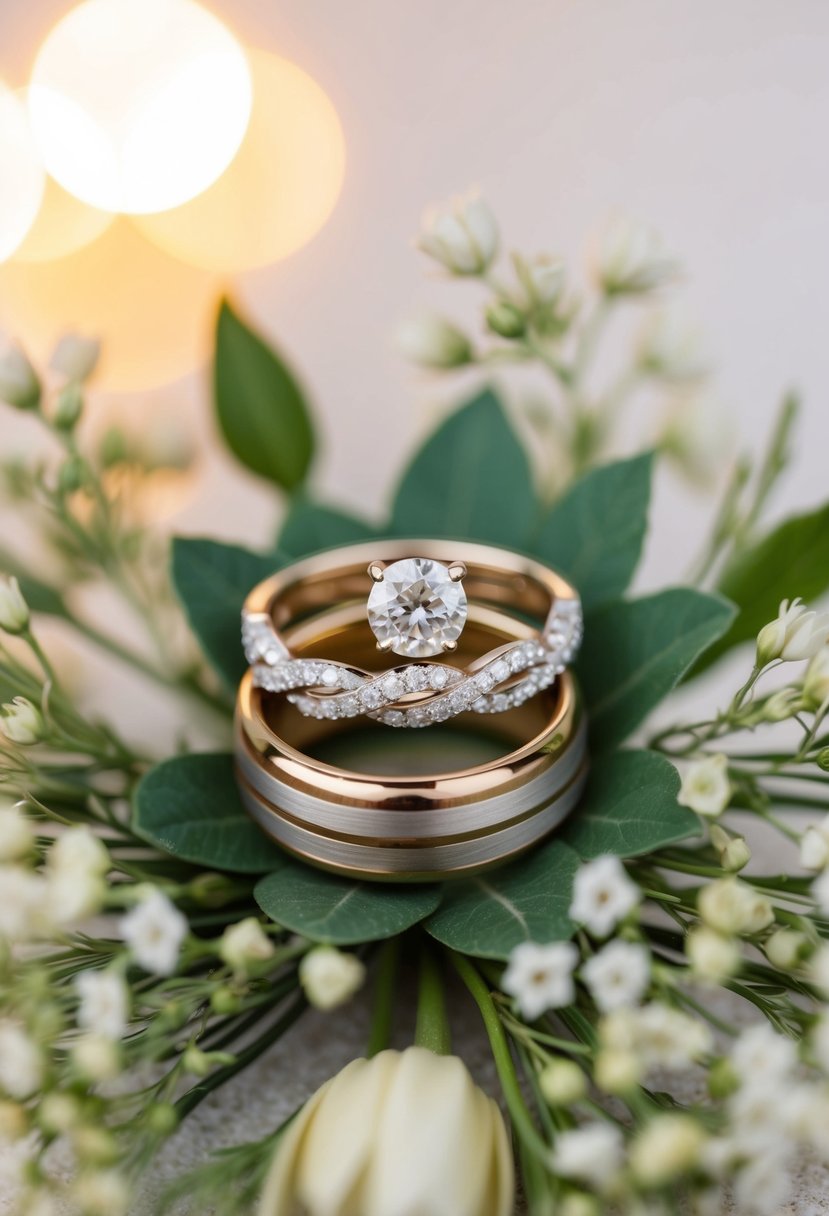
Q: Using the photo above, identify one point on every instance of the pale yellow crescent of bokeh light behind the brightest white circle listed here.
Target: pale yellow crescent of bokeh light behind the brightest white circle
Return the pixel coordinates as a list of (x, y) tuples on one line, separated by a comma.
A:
[(280, 189)]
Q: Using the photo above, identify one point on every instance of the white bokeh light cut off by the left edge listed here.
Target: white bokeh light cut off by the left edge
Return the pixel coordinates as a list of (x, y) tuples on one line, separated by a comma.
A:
[(21, 173)]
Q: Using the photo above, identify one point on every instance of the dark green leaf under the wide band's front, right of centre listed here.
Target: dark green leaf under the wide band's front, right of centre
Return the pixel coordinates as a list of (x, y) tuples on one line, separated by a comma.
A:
[(527, 902)]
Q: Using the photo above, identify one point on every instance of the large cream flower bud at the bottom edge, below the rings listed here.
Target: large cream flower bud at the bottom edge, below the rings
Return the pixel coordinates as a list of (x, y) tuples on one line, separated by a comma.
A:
[(402, 1134)]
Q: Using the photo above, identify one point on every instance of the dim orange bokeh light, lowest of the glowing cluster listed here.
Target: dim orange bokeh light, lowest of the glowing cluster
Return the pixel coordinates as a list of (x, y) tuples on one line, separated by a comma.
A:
[(151, 312)]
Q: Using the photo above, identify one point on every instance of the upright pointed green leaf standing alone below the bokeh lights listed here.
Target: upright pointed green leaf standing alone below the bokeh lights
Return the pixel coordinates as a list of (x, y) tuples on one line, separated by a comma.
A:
[(263, 412)]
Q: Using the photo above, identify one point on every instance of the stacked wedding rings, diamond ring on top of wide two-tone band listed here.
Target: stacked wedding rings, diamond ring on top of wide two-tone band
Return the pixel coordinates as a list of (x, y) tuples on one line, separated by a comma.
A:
[(309, 648)]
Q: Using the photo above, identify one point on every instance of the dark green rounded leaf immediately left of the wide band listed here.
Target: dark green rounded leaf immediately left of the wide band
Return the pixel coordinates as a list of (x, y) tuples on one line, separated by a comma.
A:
[(190, 807)]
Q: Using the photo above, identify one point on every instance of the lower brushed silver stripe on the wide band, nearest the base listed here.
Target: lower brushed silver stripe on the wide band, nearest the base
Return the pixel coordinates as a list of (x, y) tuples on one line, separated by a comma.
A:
[(420, 860)]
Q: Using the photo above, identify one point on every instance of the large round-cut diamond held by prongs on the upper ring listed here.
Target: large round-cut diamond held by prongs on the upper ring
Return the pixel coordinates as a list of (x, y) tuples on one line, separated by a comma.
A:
[(416, 610)]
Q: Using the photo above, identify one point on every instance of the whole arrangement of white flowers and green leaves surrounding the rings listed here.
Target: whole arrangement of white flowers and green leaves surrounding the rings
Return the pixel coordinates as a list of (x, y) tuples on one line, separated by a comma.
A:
[(656, 1004)]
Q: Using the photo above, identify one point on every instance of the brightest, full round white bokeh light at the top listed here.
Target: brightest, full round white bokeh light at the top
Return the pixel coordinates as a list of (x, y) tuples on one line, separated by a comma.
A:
[(139, 105)]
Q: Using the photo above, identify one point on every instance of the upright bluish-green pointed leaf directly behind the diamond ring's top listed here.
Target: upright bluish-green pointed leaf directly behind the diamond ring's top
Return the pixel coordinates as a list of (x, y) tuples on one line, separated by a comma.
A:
[(471, 481)]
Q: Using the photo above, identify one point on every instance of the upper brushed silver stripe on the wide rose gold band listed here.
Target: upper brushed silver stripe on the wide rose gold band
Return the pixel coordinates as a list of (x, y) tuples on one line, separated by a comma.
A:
[(443, 821)]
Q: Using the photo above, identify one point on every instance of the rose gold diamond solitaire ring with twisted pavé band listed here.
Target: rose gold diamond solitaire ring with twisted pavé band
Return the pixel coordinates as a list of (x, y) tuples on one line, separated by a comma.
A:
[(418, 599)]
